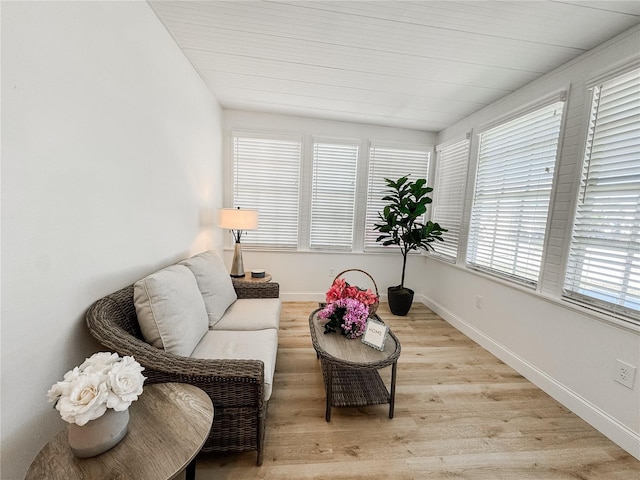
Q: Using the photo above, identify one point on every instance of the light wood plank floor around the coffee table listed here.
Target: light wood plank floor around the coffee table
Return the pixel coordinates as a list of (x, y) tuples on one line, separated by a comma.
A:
[(460, 414)]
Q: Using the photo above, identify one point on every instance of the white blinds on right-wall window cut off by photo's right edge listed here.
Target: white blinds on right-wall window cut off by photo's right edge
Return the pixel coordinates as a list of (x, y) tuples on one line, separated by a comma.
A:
[(604, 260)]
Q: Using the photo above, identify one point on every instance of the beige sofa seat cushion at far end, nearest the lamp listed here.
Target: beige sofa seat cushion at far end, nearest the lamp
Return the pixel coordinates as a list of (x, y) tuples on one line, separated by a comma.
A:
[(251, 314)]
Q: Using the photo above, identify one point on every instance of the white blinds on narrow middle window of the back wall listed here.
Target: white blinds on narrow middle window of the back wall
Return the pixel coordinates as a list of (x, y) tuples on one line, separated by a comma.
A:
[(333, 195)]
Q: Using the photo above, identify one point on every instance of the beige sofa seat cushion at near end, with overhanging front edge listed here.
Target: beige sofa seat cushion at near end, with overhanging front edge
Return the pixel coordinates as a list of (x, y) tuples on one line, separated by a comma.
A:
[(240, 345)]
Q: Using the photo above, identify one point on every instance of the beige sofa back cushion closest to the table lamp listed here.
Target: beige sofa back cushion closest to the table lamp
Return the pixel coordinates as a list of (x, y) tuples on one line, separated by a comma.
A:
[(214, 283)]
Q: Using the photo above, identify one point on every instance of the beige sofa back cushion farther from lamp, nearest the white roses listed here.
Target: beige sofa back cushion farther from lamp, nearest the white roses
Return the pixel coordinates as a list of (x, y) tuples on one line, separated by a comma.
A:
[(170, 310)]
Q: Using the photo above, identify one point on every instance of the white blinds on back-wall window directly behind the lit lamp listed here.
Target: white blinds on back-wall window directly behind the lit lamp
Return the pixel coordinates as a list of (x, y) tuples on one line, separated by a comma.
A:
[(266, 174)]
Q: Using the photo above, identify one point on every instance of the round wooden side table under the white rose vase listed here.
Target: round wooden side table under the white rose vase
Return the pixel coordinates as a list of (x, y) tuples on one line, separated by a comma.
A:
[(168, 425)]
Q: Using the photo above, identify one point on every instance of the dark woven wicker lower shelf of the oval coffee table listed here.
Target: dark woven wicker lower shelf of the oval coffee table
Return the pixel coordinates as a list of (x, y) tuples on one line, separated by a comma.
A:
[(349, 387)]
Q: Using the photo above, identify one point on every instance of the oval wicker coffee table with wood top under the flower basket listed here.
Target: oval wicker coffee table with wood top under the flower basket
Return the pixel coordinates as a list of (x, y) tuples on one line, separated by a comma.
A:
[(350, 368)]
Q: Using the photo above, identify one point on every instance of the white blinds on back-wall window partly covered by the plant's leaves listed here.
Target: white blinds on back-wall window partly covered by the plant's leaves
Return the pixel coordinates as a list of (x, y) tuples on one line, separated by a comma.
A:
[(393, 163)]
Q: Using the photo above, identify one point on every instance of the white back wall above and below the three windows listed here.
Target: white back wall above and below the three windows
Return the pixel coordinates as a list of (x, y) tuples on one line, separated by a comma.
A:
[(307, 275)]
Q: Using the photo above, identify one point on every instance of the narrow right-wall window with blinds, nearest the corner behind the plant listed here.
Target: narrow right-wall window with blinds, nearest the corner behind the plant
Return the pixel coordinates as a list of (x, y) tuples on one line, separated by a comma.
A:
[(448, 195)]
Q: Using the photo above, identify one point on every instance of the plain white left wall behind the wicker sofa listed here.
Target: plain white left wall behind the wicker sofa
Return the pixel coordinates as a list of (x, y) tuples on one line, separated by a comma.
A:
[(110, 146)]
